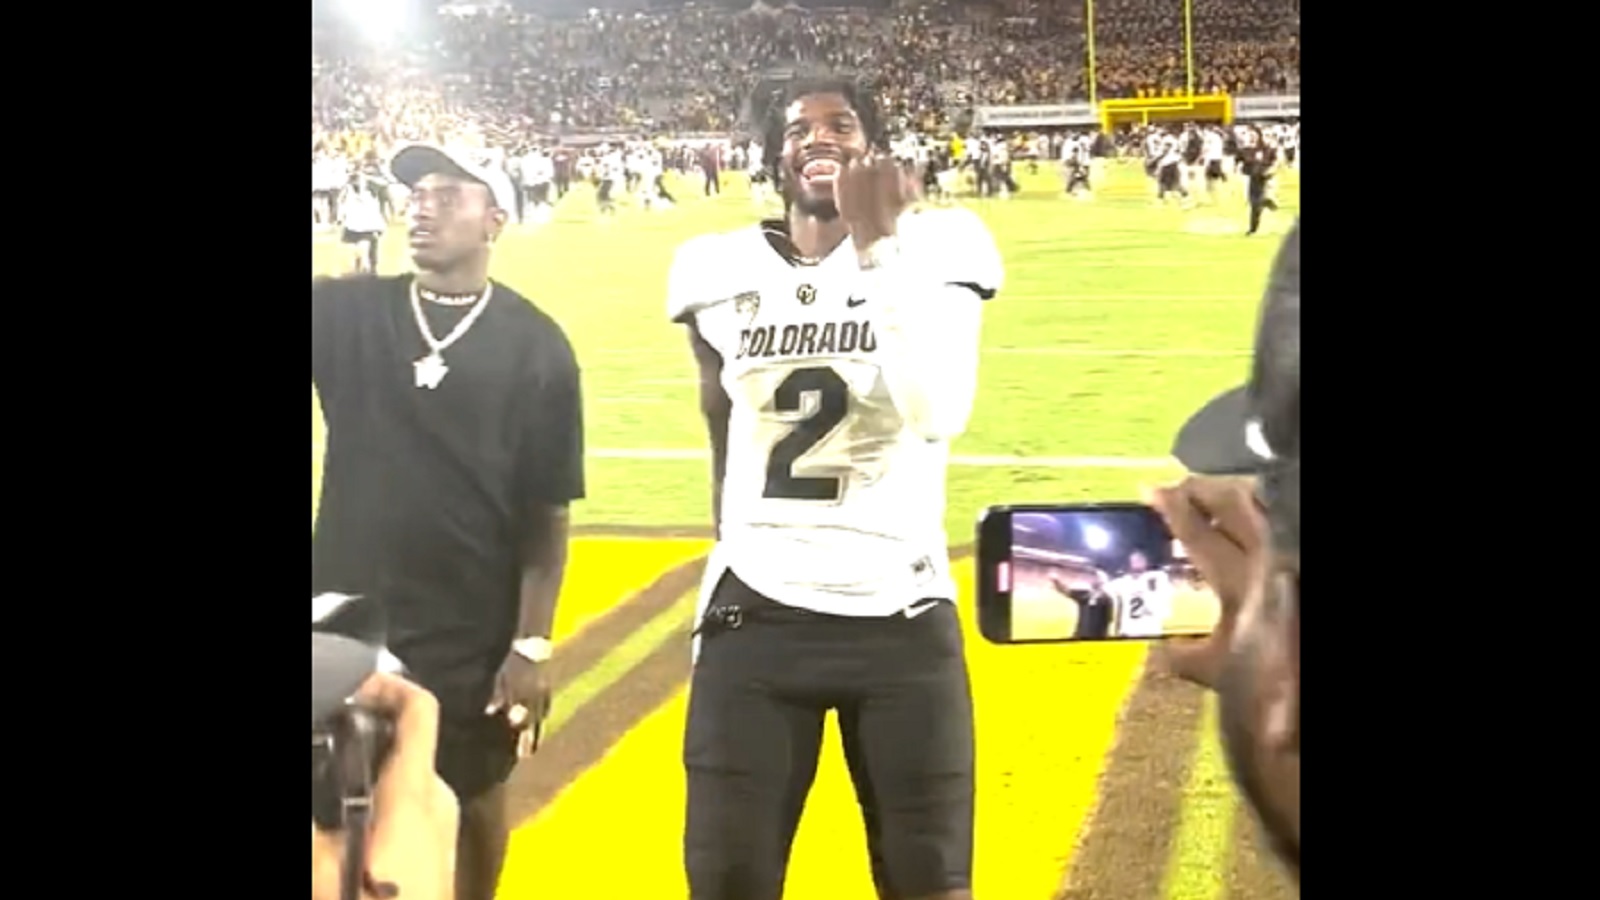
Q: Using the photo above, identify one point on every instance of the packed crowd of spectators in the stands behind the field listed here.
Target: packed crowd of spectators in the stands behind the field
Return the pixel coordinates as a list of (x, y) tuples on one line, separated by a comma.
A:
[(689, 70)]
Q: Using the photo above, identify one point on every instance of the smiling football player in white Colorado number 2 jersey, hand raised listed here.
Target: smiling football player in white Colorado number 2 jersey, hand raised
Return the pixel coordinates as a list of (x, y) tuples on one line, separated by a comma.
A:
[(839, 356)]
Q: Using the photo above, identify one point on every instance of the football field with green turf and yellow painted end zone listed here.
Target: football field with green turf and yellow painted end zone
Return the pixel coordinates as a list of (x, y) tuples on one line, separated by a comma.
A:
[(1098, 776)]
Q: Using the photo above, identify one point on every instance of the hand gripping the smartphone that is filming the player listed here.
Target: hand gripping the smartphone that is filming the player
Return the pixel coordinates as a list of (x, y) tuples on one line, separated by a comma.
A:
[(1220, 523)]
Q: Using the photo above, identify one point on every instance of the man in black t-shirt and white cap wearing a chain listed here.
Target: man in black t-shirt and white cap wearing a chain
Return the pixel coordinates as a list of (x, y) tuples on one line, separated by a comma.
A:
[(455, 446)]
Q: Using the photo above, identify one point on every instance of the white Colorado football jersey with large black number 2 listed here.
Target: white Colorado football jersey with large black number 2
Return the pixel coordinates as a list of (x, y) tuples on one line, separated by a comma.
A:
[(847, 388)]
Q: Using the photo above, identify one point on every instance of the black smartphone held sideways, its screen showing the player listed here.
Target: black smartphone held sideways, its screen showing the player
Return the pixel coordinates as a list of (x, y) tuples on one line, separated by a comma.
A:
[(1087, 573)]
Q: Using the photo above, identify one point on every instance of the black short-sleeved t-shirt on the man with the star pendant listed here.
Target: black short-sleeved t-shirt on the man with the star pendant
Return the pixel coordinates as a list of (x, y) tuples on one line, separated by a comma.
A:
[(426, 492)]
